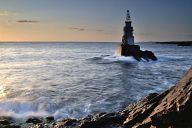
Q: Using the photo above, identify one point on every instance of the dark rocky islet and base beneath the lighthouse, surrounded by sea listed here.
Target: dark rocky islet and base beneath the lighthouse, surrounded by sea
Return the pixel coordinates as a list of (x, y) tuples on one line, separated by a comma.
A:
[(134, 50)]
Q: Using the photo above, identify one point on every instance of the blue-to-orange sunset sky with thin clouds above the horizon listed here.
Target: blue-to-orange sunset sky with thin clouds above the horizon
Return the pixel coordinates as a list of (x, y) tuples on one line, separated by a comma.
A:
[(94, 20)]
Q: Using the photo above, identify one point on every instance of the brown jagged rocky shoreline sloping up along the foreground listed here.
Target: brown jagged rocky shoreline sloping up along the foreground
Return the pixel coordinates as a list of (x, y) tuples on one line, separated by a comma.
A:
[(172, 108)]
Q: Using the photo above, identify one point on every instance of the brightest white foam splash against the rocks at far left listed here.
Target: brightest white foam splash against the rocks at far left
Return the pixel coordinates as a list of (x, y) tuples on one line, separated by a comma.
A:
[(24, 109)]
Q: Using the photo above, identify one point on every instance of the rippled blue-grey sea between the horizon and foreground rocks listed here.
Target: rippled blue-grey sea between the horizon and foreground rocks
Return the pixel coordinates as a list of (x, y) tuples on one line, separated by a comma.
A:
[(75, 79)]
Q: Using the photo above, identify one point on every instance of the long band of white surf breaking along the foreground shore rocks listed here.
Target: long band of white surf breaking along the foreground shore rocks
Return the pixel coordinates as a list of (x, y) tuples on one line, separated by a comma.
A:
[(44, 107)]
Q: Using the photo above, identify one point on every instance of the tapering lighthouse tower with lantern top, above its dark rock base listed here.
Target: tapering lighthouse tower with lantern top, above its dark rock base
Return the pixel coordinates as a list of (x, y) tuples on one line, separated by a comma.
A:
[(128, 38)]
